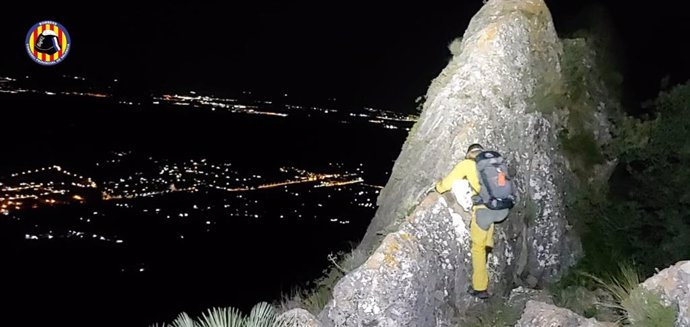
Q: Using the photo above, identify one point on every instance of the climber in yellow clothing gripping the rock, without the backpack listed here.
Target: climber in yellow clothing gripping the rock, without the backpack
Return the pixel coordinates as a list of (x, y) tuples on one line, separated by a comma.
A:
[(483, 218)]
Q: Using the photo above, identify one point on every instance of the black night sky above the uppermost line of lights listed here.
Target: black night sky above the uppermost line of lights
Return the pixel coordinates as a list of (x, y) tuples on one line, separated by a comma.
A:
[(381, 56)]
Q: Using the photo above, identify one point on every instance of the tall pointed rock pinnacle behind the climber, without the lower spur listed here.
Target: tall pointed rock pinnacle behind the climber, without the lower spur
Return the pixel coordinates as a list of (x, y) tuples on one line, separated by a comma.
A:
[(490, 93)]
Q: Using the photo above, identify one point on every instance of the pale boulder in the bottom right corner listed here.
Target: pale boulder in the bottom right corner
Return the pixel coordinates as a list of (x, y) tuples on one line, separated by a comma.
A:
[(673, 284)]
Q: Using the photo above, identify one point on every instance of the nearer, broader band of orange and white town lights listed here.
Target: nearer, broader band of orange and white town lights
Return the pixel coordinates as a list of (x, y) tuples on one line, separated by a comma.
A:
[(221, 191)]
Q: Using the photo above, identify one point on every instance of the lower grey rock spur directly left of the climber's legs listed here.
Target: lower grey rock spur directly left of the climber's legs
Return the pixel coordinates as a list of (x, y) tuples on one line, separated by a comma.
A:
[(411, 279)]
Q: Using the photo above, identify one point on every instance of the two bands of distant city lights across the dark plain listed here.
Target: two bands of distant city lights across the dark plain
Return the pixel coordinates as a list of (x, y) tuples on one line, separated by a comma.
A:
[(212, 191)]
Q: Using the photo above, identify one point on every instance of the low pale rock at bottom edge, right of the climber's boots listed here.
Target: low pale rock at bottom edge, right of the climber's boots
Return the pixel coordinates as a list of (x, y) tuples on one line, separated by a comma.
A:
[(539, 314)]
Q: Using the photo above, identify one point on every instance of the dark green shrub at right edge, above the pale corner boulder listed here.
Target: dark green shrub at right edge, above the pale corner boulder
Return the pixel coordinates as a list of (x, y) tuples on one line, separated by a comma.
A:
[(648, 212)]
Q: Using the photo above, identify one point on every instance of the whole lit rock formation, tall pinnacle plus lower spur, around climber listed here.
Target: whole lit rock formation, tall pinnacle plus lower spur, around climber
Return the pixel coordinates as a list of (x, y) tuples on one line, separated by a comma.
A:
[(492, 92)]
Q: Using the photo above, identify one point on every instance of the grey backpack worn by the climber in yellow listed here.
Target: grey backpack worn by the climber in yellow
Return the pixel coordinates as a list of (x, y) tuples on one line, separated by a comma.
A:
[(497, 189)]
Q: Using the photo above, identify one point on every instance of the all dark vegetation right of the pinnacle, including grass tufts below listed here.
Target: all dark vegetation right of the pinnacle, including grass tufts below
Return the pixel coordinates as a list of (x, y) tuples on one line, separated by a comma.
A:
[(637, 221)]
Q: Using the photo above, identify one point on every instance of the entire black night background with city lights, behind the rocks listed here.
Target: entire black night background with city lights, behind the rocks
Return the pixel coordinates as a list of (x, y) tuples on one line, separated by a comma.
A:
[(186, 156)]
